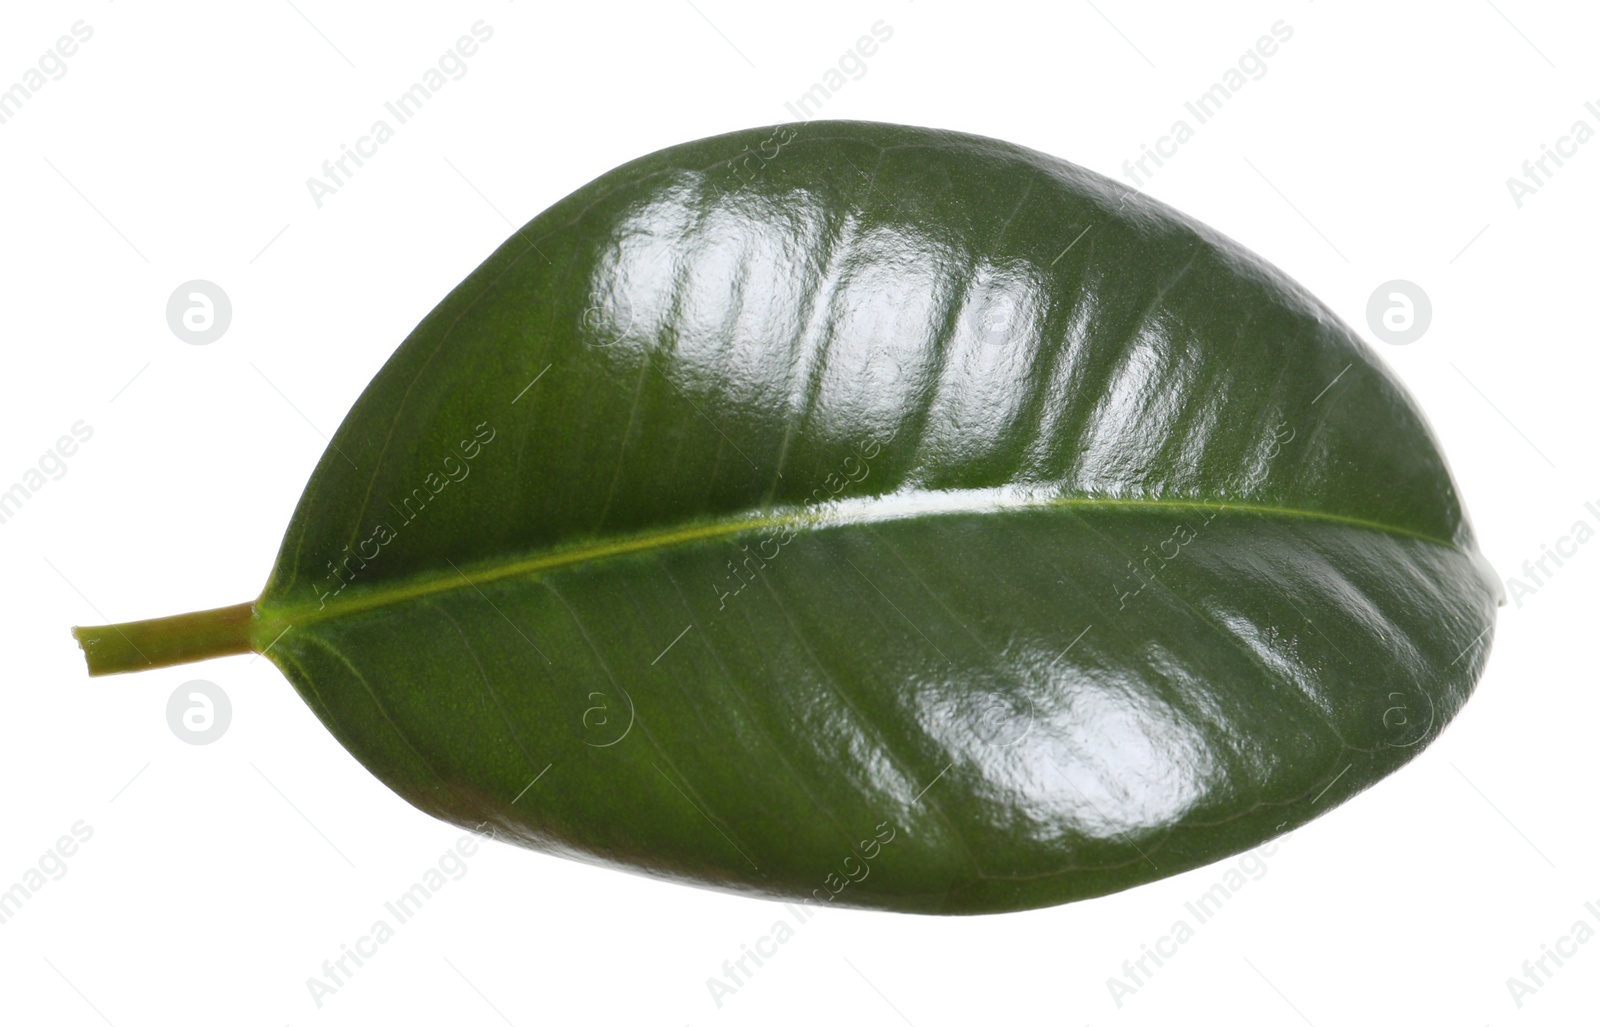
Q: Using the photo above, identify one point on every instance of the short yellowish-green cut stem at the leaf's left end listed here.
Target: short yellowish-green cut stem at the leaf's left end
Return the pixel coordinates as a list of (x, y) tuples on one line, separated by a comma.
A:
[(166, 642)]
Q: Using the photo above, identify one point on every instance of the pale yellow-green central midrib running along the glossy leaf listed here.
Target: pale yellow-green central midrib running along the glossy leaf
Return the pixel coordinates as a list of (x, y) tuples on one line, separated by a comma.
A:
[(815, 517)]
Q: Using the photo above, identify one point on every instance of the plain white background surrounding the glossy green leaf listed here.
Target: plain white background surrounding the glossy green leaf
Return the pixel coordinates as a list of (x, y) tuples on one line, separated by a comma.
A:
[(220, 877)]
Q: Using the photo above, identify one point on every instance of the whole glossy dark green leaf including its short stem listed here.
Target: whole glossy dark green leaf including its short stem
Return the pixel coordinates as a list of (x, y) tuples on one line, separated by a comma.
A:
[(874, 516)]
